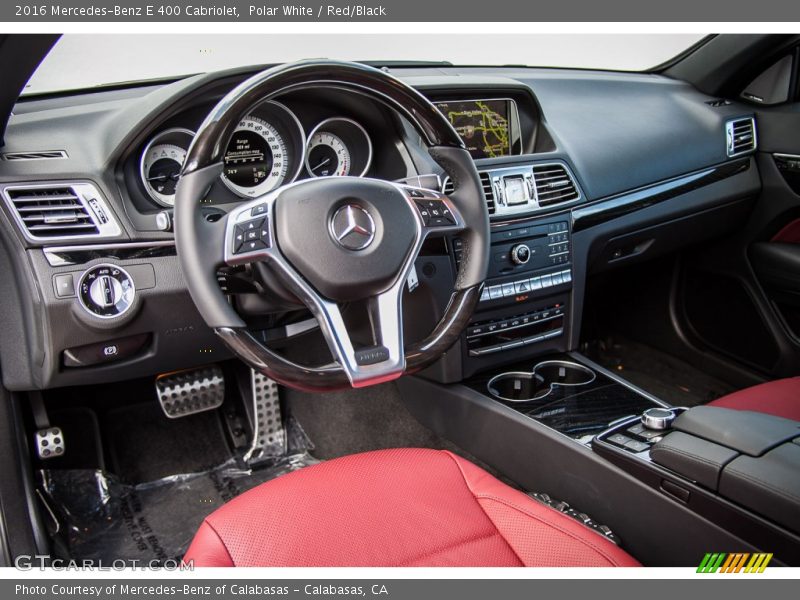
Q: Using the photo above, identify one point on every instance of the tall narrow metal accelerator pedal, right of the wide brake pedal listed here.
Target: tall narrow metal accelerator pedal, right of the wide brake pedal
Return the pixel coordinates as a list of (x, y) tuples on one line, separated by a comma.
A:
[(269, 435)]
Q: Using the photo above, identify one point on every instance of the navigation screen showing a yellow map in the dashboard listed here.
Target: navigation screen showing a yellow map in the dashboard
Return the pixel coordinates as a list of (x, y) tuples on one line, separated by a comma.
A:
[(482, 124)]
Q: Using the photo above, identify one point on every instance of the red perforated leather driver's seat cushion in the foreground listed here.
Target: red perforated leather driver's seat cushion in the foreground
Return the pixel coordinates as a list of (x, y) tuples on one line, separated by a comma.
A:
[(405, 507)]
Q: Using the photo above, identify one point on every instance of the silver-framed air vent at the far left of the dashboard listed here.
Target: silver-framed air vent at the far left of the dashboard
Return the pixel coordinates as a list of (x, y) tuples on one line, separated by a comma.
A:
[(60, 211)]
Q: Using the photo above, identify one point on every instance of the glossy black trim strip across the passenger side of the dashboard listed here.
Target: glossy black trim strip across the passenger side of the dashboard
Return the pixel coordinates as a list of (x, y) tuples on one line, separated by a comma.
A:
[(607, 209)]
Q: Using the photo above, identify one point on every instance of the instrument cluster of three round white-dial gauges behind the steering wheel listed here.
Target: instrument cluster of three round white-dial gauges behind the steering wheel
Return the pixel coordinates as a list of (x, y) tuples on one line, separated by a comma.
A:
[(269, 148)]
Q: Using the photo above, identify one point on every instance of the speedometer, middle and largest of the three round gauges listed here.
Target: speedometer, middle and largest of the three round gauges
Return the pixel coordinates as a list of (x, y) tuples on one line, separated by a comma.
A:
[(256, 159)]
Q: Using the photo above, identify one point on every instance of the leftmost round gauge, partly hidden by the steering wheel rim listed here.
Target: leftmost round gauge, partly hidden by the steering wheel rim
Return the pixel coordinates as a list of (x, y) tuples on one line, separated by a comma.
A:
[(161, 164)]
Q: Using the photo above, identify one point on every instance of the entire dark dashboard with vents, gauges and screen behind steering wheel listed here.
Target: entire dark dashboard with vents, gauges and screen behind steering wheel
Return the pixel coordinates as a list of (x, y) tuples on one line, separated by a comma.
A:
[(582, 171)]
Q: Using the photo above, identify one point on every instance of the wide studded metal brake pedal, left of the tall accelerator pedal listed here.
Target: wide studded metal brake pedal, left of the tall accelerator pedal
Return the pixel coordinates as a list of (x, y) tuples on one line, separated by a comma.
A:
[(192, 391)]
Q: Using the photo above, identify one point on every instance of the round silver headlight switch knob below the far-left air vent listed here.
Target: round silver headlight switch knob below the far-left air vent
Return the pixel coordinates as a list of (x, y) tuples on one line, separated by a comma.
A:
[(106, 291)]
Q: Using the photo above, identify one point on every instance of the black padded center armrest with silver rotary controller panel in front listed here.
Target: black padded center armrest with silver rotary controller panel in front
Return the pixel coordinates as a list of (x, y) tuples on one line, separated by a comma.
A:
[(734, 467)]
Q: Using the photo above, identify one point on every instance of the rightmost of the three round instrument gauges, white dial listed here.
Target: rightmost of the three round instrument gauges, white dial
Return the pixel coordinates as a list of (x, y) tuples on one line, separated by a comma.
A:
[(338, 147)]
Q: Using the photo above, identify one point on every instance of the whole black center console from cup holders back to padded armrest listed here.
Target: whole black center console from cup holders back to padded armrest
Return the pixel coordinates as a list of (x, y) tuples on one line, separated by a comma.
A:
[(565, 428)]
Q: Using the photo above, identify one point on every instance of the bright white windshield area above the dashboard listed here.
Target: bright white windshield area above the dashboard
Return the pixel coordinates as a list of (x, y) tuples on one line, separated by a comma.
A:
[(84, 61)]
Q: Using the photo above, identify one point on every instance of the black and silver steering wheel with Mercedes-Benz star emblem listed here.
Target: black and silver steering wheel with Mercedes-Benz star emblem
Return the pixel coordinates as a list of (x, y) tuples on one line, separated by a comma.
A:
[(333, 240)]
